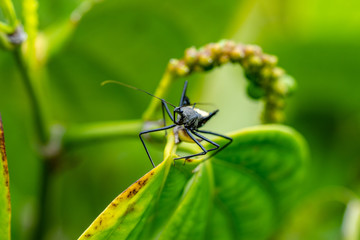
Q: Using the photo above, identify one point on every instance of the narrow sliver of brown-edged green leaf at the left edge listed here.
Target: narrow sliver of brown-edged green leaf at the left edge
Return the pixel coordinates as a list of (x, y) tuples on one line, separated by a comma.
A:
[(5, 212)]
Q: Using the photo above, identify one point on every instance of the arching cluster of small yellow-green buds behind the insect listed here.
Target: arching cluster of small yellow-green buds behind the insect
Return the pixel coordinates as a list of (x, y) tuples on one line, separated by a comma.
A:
[(266, 81)]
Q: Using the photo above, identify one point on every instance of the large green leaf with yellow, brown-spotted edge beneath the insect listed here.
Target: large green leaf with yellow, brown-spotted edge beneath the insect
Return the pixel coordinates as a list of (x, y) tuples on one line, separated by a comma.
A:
[(241, 193)]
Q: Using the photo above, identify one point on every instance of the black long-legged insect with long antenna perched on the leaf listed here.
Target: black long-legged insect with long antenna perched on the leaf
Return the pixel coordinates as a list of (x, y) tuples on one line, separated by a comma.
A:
[(186, 123)]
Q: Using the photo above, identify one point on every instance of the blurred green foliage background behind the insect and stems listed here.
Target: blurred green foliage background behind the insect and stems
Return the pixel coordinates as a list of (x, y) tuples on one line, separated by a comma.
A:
[(317, 42)]
